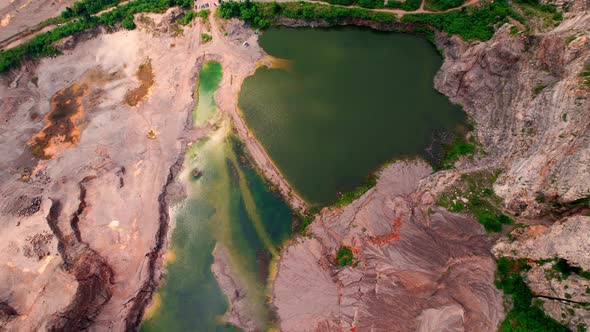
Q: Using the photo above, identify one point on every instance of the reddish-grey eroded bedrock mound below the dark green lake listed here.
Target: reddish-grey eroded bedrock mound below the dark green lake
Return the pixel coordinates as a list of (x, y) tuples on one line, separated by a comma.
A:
[(415, 267)]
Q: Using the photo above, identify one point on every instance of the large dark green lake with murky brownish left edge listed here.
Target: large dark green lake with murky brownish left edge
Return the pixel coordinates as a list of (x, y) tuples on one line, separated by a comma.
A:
[(350, 100)]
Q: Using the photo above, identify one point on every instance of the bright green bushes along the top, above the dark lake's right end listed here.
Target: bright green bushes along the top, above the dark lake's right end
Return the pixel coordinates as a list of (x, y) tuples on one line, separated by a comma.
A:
[(475, 23)]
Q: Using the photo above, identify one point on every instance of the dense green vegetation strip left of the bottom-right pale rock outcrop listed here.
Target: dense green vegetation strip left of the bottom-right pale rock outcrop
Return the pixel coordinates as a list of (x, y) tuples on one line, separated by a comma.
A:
[(525, 315)]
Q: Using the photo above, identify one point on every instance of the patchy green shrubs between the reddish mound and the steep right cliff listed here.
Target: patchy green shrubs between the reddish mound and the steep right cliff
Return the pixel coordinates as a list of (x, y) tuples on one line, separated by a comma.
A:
[(472, 194)]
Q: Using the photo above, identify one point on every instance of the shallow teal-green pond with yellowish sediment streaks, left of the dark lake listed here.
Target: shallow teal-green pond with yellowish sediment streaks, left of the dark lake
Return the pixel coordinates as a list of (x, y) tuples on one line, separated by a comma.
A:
[(229, 205)]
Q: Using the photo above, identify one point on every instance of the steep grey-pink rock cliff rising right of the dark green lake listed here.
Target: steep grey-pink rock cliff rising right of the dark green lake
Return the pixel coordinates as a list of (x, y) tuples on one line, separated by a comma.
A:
[(531, 108)]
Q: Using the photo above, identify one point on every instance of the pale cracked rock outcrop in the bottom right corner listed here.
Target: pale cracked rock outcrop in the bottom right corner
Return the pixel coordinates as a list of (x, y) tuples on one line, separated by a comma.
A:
[(563, 292)]
